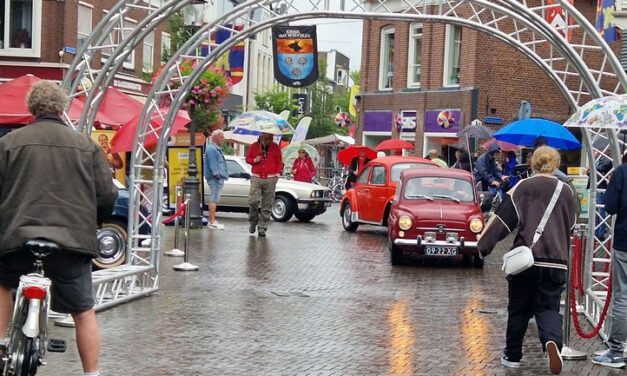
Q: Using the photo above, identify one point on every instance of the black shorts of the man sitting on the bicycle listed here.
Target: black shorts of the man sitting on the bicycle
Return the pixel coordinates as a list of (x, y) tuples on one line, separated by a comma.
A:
[(70, 273)]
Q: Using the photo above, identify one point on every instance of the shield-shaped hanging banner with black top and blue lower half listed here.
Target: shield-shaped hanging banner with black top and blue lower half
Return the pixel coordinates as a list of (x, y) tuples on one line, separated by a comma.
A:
[(295, 55)]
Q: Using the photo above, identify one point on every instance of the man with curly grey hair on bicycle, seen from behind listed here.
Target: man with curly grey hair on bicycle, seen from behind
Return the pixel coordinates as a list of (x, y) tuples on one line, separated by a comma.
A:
[(79, 195)]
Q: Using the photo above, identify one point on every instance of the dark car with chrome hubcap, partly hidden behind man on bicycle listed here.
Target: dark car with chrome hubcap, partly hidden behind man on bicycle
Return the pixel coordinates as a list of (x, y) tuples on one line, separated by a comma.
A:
[(113, 234)]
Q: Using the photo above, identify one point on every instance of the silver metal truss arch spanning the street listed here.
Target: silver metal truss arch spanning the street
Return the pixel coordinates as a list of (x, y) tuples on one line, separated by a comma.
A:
[(583, 68)]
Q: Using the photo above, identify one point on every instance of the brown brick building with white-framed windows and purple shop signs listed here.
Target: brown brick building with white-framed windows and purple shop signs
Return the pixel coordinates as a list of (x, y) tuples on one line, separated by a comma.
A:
[(437, 75)]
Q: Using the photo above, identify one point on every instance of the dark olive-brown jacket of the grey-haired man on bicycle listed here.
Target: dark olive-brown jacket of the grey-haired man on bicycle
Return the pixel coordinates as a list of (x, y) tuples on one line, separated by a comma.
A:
[(54, 184)]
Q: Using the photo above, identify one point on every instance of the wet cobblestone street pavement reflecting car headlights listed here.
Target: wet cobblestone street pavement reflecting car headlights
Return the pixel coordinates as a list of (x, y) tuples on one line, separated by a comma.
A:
[(311, 299)]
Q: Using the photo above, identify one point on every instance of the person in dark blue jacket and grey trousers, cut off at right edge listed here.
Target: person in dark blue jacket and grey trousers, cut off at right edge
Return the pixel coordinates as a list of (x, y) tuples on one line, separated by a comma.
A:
[(616, 204)]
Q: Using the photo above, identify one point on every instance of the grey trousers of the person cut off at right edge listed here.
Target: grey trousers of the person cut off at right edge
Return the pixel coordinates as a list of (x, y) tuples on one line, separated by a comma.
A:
[(618, 313)]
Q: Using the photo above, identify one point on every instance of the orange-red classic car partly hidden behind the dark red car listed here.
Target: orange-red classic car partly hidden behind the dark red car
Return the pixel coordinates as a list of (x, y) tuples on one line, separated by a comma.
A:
[(369, 201)]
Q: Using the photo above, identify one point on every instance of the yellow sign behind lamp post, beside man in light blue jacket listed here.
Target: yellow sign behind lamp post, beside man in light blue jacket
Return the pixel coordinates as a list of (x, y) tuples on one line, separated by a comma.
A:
[(178, 162)]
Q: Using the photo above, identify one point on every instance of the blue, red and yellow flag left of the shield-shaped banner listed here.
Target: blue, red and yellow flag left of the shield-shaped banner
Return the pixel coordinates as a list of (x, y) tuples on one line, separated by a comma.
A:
[(232, 62)]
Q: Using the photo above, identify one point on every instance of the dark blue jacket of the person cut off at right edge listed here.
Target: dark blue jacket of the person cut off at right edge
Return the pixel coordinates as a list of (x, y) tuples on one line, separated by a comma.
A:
[(616, 204)]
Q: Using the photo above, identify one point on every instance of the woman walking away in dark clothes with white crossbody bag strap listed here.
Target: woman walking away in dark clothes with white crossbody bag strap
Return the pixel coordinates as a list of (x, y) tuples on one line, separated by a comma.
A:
[(536, 291)]
